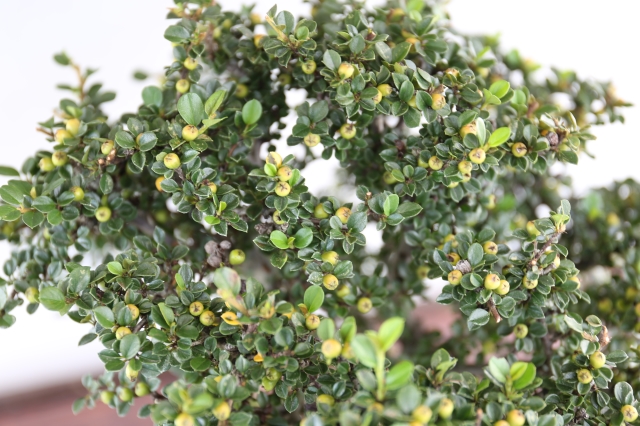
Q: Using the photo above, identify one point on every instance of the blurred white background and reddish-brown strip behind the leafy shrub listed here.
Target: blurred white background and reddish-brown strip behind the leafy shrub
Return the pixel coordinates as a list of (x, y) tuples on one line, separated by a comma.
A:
[(40, 362)]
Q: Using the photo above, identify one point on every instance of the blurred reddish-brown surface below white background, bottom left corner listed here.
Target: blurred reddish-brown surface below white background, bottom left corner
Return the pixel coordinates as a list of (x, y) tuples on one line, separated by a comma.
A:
[(52, 407)]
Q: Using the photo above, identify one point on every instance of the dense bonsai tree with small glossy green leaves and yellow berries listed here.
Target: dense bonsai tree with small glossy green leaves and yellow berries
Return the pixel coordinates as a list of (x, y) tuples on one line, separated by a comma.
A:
[(183, 241)]
